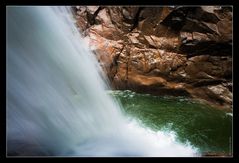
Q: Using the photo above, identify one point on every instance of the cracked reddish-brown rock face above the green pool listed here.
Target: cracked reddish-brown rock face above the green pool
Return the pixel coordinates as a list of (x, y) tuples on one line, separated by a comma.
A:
[(163, 50)]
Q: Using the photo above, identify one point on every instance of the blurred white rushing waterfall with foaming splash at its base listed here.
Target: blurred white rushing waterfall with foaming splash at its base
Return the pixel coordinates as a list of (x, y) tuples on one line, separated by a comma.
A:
[(57, 103)]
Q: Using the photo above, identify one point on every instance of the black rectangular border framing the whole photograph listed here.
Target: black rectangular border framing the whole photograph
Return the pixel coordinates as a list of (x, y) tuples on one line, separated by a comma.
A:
[(233, 3)]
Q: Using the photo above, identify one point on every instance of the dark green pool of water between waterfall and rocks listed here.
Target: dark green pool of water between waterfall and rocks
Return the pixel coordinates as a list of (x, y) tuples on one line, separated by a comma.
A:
[(209, 129)]
